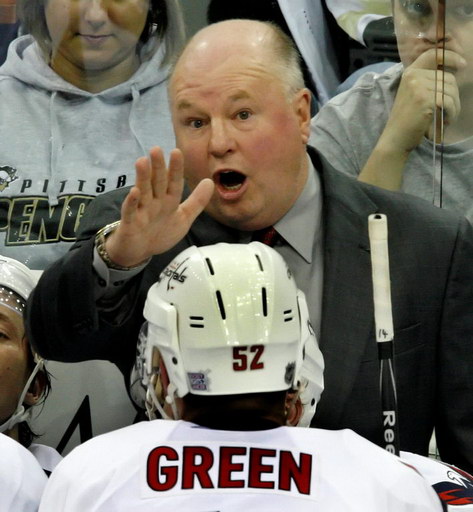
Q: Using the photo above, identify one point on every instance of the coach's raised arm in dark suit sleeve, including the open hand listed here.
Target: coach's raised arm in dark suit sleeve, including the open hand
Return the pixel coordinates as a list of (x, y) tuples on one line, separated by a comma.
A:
[(64, 319)]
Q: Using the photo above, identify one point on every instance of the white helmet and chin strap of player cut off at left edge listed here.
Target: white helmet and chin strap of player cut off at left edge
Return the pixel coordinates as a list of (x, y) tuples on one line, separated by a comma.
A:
[(16, 283)]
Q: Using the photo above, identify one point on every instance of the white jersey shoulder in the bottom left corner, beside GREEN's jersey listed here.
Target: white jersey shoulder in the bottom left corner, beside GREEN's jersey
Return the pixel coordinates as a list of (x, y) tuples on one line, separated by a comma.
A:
[(22, 480)]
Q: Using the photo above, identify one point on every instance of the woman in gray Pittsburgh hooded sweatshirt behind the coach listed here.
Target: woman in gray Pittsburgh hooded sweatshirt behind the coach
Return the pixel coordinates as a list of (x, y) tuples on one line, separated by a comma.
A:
[(81, 98)]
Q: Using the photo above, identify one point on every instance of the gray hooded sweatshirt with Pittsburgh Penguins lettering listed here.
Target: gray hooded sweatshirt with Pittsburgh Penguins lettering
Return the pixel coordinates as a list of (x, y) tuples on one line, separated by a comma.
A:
[(61, 146)]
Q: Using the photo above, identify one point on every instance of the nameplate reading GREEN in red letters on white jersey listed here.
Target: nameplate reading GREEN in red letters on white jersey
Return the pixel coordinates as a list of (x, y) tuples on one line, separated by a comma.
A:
[(177, 468)]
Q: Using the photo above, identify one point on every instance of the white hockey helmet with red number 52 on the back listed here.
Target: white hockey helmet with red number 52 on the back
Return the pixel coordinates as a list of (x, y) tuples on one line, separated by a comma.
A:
[(229, 319)]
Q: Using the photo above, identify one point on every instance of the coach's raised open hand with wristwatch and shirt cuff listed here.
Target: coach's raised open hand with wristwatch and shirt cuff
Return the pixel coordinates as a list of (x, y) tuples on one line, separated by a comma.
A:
[(152, 221)]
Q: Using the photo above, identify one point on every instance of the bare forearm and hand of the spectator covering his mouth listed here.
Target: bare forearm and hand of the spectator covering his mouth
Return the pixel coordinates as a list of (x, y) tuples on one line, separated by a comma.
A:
[(410, 119)]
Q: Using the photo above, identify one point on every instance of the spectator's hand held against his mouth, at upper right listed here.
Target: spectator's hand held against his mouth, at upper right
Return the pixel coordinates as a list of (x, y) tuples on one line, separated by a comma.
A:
[(419, 95)]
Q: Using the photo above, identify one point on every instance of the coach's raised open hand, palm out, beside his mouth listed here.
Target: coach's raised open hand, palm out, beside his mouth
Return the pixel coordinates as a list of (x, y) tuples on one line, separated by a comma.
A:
[(153, 219)]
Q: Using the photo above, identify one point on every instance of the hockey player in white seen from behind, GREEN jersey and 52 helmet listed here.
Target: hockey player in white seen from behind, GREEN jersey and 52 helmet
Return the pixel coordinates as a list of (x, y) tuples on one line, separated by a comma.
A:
[(228, 350)]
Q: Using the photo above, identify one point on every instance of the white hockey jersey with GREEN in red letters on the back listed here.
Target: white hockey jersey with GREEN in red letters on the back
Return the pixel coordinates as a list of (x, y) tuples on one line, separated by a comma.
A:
[(175, 465)]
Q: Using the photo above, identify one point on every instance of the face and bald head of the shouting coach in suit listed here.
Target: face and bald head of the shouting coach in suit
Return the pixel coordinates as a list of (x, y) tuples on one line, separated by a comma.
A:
[(236, 123)]
